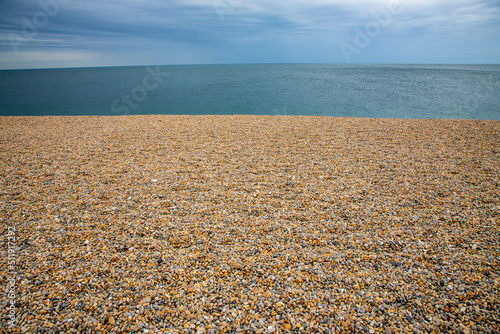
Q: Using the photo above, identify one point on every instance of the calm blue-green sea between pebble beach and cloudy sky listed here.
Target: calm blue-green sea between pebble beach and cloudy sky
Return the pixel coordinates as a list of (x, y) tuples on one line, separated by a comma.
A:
[(352, 90)]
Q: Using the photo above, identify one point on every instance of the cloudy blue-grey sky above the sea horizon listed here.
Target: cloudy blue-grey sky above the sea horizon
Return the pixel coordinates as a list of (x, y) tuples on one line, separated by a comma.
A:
[(72, 33)]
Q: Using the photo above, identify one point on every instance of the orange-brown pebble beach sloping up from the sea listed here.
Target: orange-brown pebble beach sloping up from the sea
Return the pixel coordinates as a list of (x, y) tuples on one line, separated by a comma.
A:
[(249, 224)]
